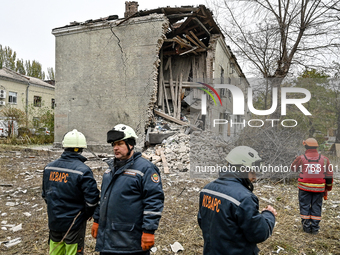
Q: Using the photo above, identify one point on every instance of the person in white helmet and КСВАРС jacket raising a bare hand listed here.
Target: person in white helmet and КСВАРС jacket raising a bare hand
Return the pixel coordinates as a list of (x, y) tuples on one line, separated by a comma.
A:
[(229, 211)]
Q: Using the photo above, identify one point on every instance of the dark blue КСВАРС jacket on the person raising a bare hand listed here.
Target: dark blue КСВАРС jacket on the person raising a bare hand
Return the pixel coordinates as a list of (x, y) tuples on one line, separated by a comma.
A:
[(230, 219)]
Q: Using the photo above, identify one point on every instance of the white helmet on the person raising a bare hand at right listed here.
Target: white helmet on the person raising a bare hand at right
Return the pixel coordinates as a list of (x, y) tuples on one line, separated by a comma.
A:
[(245, 156)]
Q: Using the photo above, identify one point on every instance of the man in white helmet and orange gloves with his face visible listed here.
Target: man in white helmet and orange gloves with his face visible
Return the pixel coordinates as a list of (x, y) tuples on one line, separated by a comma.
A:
[(132, 198)]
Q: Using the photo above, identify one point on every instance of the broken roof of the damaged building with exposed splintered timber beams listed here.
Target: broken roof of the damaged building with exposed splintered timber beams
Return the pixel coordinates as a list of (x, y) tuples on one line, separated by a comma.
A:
[(190, 27)]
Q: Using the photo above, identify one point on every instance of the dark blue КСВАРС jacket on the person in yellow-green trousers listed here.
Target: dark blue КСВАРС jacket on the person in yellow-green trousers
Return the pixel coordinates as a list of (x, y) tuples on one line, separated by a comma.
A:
[(69, 187)]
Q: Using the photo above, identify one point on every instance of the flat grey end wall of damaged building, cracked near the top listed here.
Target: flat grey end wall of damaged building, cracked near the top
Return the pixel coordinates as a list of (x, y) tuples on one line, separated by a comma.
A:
[(106, 74)]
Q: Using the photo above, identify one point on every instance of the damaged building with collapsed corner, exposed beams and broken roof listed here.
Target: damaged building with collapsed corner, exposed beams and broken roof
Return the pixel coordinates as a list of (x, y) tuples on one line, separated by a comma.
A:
[(148, 64)]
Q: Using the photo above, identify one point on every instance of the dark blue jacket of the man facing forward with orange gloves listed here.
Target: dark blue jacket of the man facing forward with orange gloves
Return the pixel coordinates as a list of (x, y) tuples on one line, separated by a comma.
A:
[(131, 202)]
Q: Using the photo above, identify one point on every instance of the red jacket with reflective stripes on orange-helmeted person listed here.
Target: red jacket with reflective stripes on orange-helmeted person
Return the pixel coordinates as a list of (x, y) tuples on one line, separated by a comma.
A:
[(316, 173)]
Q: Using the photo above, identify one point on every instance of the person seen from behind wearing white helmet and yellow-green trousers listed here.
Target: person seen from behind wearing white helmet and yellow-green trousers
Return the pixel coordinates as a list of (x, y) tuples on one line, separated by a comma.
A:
[(71, 195)]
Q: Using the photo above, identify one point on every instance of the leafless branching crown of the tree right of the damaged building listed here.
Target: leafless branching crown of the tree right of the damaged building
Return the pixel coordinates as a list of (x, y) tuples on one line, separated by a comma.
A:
[(275, 35)]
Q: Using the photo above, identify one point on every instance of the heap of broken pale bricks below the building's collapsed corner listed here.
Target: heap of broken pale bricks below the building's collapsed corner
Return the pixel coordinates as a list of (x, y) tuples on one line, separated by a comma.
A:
[(181, 150)]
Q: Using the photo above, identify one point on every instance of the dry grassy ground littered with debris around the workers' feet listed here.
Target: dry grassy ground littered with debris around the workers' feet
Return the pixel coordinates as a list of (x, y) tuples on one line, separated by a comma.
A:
[(21, 203)]
